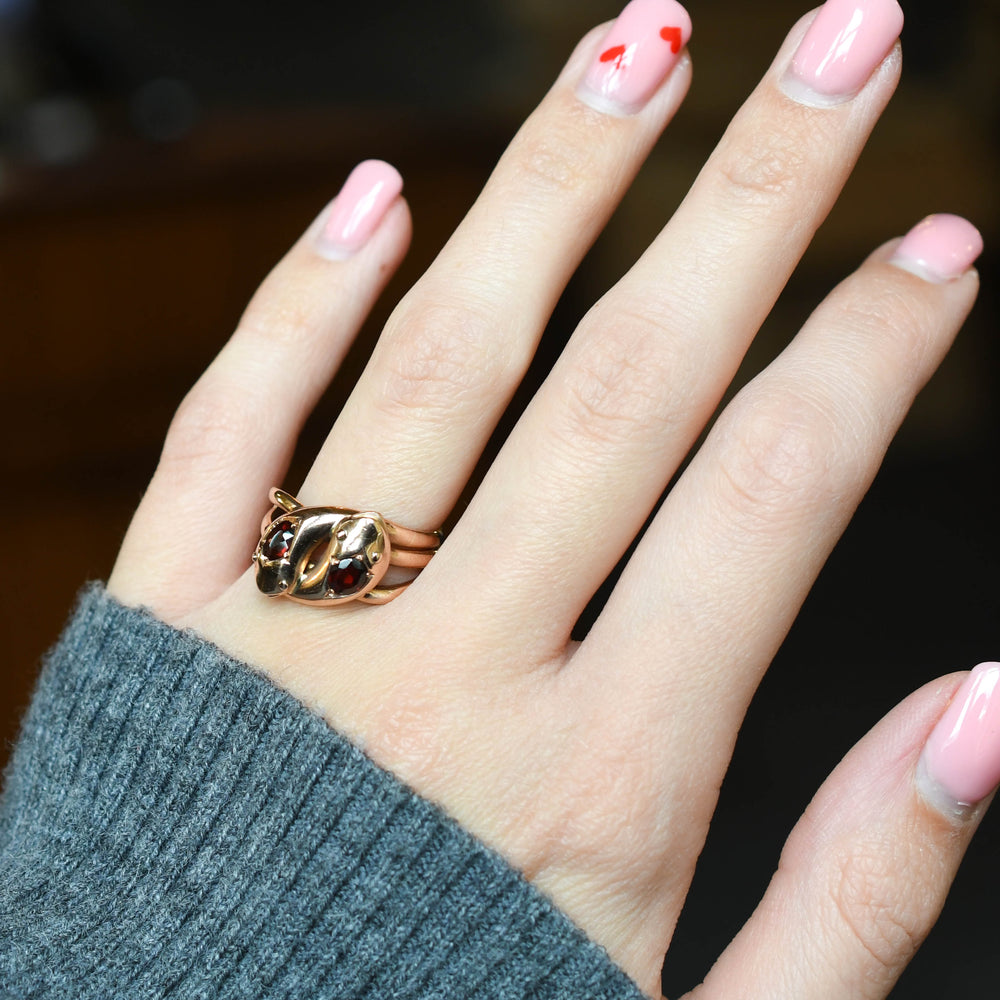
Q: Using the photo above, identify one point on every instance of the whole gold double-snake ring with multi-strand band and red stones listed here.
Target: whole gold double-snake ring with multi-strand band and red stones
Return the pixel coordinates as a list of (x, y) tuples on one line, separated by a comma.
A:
[(332, 555)]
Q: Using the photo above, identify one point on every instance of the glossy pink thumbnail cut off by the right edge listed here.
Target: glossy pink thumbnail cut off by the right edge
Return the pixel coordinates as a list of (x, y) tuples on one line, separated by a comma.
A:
[(960, 764)]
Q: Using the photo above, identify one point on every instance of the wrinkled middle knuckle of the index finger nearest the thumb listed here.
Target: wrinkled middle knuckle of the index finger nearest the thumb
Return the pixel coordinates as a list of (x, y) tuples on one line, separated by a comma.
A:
[(782, 449)]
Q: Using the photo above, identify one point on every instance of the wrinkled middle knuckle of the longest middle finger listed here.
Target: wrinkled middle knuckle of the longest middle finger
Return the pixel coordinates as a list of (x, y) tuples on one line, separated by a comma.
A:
[(616, 390)]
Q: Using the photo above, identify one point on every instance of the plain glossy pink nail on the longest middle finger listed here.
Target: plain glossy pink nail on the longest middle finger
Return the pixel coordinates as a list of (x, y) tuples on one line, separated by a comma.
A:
[(845, 43)]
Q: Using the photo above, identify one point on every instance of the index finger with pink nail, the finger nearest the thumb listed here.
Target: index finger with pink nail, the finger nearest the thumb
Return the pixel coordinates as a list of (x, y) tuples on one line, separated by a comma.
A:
[(728, 560)]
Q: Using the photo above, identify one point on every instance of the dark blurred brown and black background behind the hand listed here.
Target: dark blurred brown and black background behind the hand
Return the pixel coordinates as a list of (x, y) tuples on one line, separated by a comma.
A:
[(156, 158)]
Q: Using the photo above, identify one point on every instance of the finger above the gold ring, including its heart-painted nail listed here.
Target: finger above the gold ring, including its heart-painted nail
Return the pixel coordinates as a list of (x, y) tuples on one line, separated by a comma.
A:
[(459, 343)]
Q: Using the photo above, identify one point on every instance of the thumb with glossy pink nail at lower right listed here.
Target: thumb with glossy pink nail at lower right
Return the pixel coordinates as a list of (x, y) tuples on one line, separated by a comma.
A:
[(864, 874)]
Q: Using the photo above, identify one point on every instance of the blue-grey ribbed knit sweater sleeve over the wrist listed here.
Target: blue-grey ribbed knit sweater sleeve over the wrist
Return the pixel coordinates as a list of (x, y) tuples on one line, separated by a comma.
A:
[(175, 826)]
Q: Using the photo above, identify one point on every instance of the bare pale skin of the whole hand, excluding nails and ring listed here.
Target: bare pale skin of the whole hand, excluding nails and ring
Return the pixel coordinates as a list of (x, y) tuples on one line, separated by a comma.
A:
[(593, 767)]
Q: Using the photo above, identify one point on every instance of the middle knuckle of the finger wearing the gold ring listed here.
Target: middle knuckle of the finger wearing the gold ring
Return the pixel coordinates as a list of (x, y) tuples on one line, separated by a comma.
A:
[(438, 357)]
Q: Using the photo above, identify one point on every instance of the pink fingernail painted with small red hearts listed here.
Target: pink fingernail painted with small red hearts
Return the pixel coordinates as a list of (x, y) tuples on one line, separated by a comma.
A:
[(636, 56)]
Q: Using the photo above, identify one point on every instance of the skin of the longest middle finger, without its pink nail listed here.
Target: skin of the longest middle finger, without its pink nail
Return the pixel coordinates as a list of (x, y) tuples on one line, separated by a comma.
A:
[(649, 364)]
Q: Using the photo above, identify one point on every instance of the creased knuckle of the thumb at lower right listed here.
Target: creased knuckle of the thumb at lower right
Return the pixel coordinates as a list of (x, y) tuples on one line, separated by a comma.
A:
[(878, 913)]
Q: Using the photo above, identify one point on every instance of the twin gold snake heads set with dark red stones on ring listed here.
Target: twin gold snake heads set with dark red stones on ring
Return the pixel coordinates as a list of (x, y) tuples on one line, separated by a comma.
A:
[(326, 554)]
